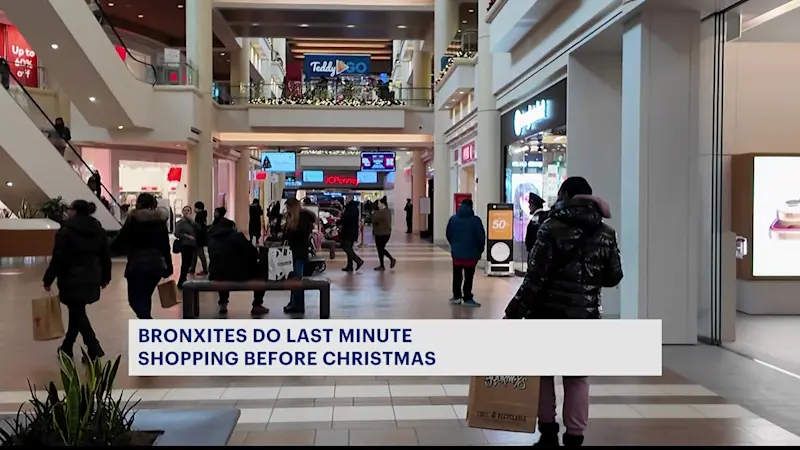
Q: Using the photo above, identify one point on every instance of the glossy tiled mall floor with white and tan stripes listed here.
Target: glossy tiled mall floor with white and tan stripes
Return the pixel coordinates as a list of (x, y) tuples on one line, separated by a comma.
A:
[(701, 399)]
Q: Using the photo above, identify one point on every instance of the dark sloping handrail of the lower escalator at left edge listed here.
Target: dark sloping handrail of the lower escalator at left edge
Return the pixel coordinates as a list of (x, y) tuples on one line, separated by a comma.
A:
[(25, 100)]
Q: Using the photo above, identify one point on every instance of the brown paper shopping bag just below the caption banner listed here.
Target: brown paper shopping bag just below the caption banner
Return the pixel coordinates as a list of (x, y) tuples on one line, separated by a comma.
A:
[(503, 403)]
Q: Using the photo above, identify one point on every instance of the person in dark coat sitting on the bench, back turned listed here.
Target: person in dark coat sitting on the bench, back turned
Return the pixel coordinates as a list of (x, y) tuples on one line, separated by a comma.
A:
[(233, 258)]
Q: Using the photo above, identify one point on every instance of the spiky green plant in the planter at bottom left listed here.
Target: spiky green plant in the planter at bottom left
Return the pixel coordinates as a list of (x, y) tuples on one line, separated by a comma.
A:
[(86, 415)]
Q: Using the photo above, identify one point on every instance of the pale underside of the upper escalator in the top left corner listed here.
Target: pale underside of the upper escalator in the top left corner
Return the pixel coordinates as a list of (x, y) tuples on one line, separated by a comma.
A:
[(78, 53)]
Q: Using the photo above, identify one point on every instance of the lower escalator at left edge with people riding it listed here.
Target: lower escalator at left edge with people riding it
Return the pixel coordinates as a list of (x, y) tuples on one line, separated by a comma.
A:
[(32, 165)]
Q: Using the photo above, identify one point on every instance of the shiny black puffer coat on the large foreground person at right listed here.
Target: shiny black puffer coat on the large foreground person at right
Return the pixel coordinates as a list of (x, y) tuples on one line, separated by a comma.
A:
[(575, 256)]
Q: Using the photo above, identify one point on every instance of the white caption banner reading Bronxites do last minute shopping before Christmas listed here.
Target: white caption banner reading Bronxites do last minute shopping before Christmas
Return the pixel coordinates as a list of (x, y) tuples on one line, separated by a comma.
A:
[(394, 348)]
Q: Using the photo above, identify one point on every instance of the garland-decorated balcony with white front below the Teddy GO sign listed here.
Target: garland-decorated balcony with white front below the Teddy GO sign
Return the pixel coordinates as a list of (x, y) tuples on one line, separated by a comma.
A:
[(325, 106)]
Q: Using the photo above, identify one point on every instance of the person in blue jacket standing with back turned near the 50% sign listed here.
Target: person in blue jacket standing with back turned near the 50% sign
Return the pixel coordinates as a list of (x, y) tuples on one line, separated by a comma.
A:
[(467, 239)]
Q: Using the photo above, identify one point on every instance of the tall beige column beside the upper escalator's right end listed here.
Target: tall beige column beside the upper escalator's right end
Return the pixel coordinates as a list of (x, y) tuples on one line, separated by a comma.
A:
[(200, 156)]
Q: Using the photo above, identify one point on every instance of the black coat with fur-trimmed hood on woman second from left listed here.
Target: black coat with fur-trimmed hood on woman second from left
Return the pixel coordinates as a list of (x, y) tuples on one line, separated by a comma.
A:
[(145, 239)]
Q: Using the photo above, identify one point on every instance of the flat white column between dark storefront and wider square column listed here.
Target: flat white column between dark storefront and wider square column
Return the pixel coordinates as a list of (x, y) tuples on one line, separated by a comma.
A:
[(594, 127)]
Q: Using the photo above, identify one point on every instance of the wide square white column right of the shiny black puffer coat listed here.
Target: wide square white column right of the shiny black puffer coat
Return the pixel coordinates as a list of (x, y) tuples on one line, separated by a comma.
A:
[(659, 220)]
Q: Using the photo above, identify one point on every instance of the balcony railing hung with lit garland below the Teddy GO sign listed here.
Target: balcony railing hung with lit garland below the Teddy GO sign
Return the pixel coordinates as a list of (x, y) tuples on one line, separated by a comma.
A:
[(321, 93)]
